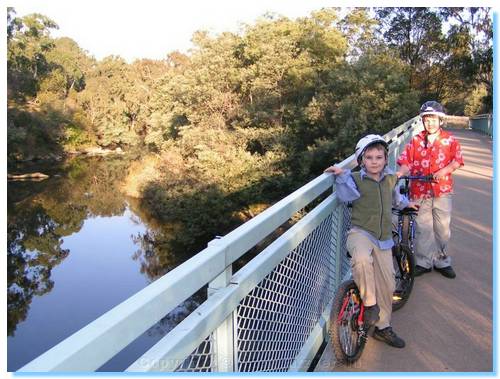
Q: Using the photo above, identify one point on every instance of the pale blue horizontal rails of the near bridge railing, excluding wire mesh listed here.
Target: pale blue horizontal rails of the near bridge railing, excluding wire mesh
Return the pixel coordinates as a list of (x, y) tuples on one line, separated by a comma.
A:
[(92, 346)]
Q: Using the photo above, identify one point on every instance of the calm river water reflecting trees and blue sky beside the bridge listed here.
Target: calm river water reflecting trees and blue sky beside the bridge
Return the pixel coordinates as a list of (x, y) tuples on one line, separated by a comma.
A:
[(77, 247)]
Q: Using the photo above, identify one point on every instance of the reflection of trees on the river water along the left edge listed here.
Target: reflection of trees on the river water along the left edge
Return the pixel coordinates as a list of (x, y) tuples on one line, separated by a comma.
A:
[(40, 214)]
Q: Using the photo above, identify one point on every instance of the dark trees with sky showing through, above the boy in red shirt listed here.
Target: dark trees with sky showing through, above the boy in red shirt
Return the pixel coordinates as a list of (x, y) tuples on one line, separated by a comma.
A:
[(448, 52)]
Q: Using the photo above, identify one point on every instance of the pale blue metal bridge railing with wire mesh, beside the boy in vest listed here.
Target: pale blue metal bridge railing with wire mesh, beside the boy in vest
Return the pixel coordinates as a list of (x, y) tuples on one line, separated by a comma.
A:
[(271, 315)]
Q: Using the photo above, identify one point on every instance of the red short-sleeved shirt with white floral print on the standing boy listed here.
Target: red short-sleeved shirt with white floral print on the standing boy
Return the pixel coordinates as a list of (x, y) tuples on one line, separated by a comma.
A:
[(426, 158)]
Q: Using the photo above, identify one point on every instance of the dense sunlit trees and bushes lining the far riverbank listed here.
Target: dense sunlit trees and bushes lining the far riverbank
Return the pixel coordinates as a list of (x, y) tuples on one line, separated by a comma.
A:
[(243, 118)]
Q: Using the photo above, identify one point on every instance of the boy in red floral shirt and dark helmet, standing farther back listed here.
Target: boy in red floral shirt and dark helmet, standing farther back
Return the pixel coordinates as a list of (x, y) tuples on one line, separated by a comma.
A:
[(436, 152)]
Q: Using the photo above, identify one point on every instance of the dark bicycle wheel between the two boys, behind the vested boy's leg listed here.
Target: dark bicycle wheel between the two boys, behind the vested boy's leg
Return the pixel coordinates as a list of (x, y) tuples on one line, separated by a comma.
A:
[(404, 267)]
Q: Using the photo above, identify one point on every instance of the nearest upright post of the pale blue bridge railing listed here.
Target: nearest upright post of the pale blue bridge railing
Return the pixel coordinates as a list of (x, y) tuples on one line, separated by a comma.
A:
[(224, 334)]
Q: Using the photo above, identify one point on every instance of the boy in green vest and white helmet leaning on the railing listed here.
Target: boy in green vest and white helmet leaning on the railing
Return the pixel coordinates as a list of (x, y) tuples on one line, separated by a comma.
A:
[(373, 192)]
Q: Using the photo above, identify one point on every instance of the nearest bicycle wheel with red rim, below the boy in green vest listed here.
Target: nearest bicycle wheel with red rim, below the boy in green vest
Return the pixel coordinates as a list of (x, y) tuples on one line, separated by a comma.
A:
[(348, 338)]
